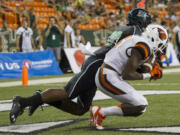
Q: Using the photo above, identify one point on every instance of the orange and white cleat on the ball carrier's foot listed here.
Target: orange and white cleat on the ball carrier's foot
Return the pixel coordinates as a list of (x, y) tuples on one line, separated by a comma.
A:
[(96, 117)]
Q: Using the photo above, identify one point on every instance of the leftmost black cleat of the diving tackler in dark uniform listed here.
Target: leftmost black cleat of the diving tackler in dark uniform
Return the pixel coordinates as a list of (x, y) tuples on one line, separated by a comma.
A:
[(16, 109)]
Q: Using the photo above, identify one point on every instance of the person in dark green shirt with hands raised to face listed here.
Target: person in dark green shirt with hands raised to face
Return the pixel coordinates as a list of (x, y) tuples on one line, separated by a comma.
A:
[(54, 34)]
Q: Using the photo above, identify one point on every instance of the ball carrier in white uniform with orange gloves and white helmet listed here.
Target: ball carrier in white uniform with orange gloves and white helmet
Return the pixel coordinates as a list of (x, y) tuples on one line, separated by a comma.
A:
[(121, 64)]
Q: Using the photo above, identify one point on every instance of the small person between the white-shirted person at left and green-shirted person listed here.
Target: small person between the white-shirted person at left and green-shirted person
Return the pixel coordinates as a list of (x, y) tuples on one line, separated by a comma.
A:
[(39, 41)]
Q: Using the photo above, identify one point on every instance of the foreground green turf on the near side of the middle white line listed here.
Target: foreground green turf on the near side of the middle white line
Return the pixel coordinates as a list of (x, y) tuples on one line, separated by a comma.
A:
[(162, 111)]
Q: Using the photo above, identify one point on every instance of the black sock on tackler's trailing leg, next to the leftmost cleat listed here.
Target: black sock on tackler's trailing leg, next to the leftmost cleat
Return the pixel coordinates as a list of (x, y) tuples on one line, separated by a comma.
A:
[(35, 100)]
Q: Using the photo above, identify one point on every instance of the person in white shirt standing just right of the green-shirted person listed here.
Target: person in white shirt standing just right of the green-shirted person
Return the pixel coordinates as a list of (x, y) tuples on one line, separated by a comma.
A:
[(69, 35)]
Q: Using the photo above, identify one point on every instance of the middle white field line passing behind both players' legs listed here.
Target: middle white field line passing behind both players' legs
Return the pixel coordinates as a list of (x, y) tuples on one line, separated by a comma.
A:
[(5, 105)]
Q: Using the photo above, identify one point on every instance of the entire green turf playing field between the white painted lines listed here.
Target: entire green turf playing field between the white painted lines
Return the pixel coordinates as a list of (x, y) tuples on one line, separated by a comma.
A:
[(163, 110)]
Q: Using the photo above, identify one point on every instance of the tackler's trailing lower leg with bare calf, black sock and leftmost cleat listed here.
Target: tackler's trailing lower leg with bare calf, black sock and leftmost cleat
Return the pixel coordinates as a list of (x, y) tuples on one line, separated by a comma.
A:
[(19, 103)]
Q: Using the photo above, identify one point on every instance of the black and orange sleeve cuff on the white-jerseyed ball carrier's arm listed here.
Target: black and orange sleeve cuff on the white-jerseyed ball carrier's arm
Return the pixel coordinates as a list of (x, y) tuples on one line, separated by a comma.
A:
[(144, 49)]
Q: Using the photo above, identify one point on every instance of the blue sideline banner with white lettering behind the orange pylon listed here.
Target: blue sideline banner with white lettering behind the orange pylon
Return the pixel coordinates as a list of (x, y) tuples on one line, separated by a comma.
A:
[(38, 63)]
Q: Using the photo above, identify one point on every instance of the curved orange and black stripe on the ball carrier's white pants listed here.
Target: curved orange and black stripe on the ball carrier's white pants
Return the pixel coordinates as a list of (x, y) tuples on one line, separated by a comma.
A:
[(107, 84)]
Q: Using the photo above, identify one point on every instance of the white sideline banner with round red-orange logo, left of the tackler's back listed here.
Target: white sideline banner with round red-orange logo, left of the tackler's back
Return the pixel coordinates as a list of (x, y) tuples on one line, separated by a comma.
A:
[(76, 57)]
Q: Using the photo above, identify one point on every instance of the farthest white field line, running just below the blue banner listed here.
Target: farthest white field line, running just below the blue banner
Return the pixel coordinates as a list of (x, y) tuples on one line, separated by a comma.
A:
[(62, 79)]
